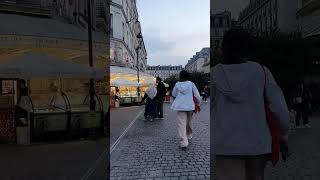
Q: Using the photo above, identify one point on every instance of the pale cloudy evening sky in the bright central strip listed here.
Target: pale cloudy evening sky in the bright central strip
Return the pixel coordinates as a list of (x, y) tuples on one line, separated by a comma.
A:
[(174, 30)]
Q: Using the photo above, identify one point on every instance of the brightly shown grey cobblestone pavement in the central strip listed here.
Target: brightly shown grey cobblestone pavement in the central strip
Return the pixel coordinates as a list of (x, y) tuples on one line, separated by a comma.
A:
[(150, 150)]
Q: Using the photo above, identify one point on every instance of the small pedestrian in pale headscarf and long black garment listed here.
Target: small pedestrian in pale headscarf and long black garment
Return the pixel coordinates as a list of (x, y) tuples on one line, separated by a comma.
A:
[(151, 107)]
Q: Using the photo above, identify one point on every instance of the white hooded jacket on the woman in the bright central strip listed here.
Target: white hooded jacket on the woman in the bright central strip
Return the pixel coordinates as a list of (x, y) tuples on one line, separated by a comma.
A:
[(183, 93)]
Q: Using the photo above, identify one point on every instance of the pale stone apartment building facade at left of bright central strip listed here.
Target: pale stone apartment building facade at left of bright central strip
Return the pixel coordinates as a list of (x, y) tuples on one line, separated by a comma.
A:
[(126, 43)]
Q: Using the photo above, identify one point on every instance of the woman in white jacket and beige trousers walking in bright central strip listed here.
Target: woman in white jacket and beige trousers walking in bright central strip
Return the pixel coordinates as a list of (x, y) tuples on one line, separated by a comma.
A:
[(183, 92)]
